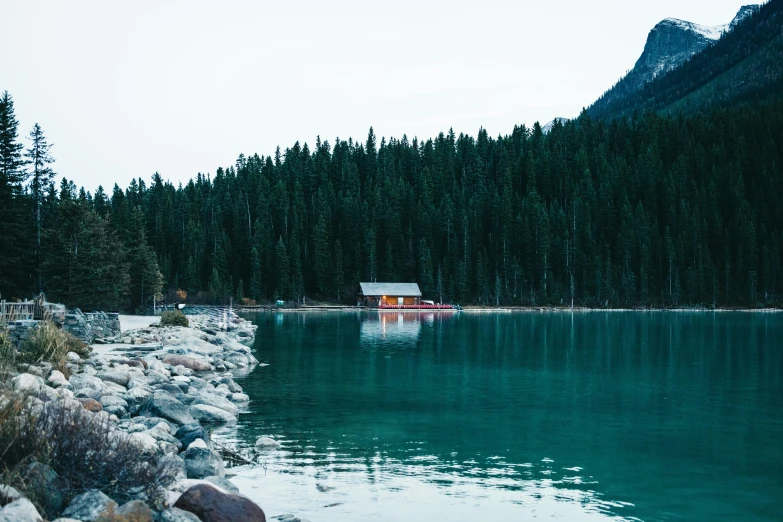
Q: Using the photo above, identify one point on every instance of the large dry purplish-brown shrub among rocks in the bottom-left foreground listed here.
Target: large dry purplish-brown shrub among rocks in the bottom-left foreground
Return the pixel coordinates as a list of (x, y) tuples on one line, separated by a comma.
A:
[(83, 448)]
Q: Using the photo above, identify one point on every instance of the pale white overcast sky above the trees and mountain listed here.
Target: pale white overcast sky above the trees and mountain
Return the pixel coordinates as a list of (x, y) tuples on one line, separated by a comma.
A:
[(124, 89)]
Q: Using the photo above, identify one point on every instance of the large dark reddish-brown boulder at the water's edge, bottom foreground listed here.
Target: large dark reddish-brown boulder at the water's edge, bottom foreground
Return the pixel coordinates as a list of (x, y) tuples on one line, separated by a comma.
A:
[(211, 505)]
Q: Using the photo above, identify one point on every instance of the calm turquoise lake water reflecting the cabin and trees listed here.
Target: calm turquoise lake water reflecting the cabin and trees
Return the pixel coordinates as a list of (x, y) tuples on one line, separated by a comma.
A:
[(513, 416)]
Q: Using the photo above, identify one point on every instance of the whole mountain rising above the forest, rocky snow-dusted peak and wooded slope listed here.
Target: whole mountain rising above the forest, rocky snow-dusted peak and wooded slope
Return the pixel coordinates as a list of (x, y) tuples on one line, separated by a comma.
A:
[(668, 69)]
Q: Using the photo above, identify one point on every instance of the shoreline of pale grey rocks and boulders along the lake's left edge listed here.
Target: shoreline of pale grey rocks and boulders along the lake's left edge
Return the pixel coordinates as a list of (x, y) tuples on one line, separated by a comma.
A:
[(163, 388)]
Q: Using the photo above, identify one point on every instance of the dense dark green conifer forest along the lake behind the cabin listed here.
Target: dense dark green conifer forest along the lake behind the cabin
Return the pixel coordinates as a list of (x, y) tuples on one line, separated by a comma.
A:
[(655, 211)]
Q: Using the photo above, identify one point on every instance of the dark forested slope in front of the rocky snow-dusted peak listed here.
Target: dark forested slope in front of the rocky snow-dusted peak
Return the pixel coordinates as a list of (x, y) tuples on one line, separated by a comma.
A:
[(746, 64)]
